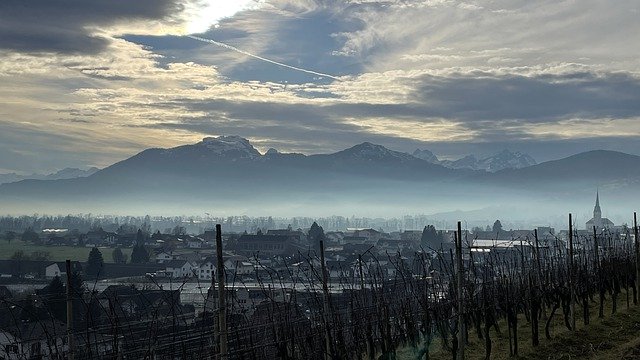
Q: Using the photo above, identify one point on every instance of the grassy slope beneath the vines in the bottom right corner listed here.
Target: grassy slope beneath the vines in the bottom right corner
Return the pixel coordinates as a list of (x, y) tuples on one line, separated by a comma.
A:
[(613, 337)]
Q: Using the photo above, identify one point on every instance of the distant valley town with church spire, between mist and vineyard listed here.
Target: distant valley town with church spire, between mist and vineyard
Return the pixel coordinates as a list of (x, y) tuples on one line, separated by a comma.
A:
[(185, 248)]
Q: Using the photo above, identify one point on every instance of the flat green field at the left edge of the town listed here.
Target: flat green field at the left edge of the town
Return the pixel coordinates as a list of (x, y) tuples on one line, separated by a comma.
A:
[(57, 253)]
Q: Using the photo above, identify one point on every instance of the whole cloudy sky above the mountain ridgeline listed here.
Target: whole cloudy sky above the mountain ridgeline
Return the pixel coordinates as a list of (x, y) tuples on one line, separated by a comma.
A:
[(89, 83)]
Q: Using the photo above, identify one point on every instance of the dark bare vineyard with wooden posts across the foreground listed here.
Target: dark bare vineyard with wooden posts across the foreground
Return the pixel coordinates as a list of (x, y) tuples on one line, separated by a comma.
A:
[(464, 302)]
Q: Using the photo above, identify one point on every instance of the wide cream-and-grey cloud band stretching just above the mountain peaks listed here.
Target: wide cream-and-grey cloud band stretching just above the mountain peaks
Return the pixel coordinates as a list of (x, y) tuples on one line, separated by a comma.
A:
[(416, 107)]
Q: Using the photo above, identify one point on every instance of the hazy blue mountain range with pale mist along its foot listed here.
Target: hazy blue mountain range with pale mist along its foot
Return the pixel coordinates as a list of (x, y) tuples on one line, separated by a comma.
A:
[(227, 174)]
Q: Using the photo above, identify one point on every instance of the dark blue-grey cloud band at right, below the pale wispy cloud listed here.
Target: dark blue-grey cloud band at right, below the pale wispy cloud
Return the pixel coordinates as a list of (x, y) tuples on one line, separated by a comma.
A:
[(530, 99)]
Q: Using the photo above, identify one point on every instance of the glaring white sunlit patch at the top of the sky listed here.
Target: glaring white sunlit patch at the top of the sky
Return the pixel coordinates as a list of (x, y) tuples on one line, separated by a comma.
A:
[(207, 13)]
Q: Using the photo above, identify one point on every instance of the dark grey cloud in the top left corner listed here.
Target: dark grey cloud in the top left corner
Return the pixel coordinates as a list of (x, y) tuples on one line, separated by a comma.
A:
[(61, 26)]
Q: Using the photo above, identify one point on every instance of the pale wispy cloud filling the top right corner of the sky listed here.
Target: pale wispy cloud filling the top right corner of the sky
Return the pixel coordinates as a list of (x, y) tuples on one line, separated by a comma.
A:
[(449, 33)]
